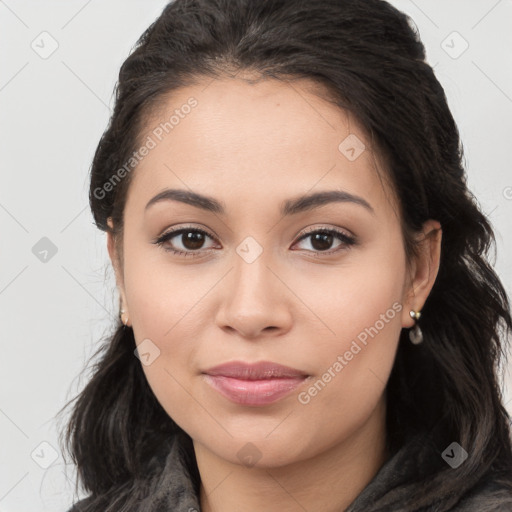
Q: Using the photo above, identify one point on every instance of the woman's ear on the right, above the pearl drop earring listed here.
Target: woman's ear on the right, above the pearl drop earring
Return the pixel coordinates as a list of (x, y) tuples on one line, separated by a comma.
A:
[(424, 270)]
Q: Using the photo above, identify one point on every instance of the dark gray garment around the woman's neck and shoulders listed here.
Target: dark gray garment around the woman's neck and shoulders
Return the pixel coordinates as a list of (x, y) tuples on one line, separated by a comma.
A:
[(172, 489)]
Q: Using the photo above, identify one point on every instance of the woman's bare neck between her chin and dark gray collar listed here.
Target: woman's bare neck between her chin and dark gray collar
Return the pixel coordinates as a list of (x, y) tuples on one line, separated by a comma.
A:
[(330, 481)]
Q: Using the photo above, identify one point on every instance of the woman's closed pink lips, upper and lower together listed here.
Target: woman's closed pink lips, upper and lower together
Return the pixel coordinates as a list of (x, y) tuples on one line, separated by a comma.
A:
[(254, 384)]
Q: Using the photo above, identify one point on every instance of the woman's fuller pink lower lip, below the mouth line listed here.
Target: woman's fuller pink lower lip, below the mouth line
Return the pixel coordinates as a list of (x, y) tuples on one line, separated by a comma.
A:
[(253, 392)]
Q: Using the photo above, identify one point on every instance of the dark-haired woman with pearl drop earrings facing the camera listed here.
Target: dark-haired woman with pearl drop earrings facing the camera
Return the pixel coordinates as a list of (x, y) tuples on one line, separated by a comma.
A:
[(308, 317)]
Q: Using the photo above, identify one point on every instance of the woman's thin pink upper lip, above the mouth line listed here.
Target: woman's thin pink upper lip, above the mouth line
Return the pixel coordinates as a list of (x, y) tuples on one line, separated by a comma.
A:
[(255, 371)]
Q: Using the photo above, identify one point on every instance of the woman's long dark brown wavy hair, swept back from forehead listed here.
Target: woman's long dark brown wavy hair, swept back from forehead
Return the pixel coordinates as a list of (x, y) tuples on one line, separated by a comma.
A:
[(370, 58)]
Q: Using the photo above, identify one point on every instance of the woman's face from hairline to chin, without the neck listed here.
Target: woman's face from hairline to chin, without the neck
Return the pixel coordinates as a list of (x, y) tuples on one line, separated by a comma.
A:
[(322, 290)]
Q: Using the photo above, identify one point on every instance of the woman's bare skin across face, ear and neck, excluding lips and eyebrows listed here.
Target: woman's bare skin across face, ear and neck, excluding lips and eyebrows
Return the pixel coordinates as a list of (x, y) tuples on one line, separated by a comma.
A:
[(252, 146)]
